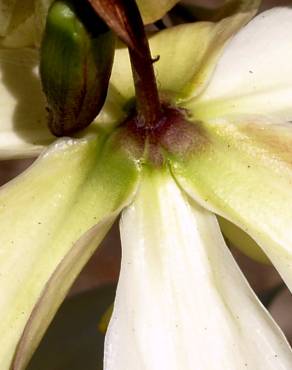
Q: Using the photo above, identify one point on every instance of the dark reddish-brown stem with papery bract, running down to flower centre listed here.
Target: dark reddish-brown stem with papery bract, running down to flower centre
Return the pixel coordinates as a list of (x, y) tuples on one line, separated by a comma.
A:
[(124, 18)]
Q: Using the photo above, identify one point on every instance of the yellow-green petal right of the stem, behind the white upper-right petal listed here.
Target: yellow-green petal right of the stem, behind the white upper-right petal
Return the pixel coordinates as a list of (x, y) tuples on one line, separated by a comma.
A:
[(188, 53)]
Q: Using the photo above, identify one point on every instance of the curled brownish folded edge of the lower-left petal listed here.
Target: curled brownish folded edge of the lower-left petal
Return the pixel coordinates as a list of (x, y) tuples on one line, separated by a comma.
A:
[(55, 291)]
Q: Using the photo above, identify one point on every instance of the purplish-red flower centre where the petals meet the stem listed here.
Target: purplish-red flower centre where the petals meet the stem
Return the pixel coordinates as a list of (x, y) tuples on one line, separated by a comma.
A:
[(172, 135)]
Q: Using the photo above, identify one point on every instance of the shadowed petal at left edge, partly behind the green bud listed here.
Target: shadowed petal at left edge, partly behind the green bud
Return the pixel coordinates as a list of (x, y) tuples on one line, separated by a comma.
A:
[(23, 130)]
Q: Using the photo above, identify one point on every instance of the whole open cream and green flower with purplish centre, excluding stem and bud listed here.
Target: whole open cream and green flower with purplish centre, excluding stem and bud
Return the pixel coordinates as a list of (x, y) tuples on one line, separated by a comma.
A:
[(181, 302)]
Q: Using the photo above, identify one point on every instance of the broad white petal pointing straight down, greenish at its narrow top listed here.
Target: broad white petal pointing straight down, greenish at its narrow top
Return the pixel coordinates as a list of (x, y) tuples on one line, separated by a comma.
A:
[(182, 303)]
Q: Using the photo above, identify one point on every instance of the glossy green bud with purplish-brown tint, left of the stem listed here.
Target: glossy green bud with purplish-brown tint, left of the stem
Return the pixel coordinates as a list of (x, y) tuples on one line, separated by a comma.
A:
[(76, 61)]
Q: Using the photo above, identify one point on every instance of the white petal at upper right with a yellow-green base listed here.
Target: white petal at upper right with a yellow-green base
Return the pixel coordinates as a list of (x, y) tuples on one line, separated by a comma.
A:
[(254, 75)]
